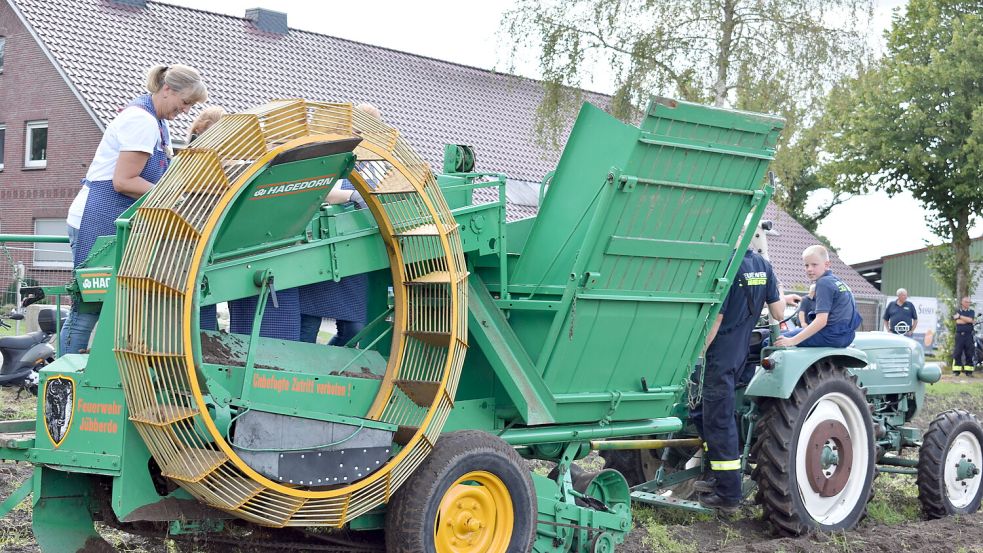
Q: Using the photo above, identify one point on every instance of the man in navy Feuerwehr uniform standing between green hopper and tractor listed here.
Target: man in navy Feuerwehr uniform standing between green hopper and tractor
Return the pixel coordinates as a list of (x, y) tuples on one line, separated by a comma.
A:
[(729, 341)]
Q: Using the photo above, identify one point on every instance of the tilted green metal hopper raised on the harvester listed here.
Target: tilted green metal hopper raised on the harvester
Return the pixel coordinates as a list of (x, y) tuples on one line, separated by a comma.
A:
[(650, 245)]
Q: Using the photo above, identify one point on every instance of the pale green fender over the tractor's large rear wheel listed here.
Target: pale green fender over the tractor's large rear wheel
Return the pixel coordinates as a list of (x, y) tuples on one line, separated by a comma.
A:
[(790, 363)]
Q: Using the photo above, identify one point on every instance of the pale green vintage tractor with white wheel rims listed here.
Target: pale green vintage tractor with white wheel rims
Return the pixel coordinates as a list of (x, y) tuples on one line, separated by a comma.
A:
[(817, 425)]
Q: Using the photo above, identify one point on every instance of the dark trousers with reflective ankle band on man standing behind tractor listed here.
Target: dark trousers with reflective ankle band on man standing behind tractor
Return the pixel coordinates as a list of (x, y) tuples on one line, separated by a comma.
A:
[(716, 423)]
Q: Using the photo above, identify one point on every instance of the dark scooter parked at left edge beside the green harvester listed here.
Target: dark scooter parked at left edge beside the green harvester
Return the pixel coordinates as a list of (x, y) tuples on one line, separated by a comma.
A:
[(25, 355)]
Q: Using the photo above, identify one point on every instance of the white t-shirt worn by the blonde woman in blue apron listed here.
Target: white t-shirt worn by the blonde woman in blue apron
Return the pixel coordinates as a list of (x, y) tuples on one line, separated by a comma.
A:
[(133, 130)]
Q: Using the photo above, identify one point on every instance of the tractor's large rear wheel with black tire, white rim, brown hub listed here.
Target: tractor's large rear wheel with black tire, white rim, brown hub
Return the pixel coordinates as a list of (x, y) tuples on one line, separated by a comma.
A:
[(825, 395)]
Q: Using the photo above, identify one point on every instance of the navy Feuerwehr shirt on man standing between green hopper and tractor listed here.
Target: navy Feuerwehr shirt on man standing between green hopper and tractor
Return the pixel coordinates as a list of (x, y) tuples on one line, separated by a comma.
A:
[(754, 286)]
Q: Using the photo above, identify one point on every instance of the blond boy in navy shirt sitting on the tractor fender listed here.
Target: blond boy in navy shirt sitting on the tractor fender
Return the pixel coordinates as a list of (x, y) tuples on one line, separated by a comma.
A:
[(837, 319)]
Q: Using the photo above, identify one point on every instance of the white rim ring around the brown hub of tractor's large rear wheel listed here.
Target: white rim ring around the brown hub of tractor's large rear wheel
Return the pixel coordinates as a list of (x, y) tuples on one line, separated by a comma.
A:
[(832, 510)]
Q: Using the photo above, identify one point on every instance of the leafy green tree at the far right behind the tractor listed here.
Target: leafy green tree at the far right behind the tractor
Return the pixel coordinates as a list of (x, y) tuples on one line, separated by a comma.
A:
[(914, 121)]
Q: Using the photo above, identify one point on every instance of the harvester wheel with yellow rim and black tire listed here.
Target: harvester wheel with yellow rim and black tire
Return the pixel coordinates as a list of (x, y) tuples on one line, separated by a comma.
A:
[(472, 494)]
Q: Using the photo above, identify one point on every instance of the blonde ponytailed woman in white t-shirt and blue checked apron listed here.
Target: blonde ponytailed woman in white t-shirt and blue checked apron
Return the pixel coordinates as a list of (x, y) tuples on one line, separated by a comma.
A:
[(132, 156)]
